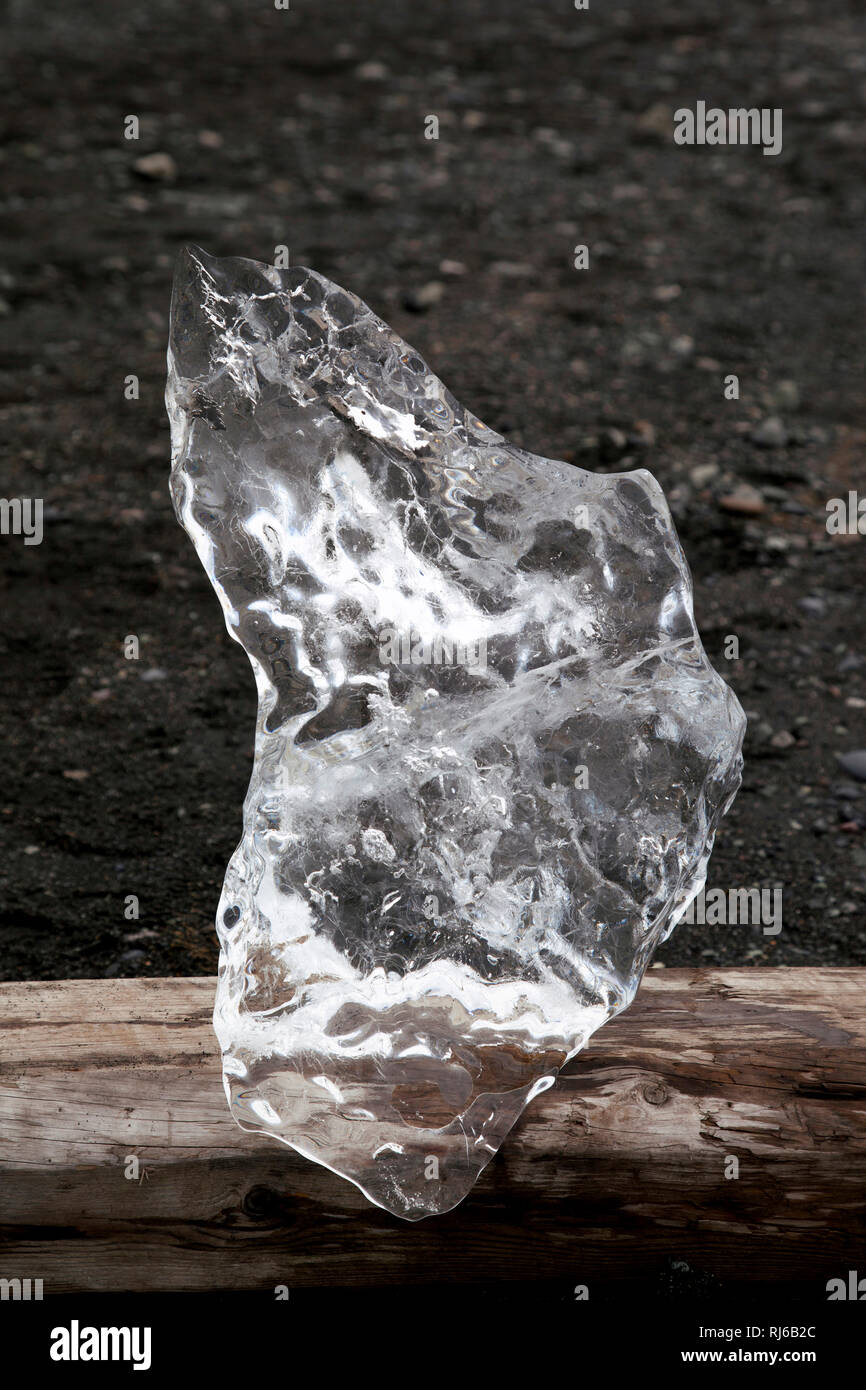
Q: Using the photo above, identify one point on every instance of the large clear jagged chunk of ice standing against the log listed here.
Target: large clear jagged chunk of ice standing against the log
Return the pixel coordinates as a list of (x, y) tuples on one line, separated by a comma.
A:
[(491, 754)]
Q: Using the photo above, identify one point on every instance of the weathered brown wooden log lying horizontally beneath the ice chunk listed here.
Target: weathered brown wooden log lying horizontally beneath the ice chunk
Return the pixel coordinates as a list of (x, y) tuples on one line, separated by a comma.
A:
[(618, 1168)]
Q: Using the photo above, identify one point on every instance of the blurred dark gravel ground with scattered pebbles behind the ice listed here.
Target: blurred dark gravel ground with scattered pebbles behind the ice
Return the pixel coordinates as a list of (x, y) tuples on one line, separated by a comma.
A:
[(307, 129)]
